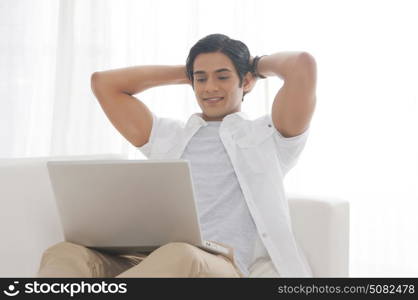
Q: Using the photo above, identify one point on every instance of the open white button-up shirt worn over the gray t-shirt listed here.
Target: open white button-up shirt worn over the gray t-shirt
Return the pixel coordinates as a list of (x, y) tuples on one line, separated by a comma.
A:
[(261, 157)]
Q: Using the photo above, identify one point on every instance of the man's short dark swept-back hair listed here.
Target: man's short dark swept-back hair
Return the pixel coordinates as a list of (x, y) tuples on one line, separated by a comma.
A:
[(236, 50)]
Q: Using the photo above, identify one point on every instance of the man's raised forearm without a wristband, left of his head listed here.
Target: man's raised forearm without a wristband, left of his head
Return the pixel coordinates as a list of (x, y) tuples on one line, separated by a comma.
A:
[(135, 79)]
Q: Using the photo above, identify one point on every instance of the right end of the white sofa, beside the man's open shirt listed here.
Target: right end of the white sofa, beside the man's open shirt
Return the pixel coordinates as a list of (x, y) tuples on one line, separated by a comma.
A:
[(321, 228)]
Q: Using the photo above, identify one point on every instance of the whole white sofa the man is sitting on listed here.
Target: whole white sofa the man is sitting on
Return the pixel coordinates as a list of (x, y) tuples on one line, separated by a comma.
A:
[(29, 221)]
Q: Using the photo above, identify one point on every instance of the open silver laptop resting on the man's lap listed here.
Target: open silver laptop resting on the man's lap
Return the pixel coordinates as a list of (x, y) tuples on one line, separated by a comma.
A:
[(126, 206)]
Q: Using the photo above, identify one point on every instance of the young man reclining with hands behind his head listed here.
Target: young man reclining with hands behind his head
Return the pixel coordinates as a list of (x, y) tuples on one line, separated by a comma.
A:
[(238, 165)]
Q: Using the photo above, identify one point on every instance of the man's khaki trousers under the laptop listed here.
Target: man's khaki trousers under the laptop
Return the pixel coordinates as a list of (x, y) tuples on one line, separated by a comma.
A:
[(171, 260)]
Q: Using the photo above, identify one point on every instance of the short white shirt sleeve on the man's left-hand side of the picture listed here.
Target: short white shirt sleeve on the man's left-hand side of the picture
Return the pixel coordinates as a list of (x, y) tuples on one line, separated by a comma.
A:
[(162, 136)]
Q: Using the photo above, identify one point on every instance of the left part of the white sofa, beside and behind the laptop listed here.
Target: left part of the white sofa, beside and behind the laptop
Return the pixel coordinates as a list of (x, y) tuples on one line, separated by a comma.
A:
[(29, 221)]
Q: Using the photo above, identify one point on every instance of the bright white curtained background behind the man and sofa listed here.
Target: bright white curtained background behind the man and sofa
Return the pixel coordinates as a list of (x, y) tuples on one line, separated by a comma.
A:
[(363, 145)]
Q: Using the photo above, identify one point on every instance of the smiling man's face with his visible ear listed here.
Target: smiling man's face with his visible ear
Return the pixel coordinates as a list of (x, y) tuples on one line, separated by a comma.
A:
[(215, 76)]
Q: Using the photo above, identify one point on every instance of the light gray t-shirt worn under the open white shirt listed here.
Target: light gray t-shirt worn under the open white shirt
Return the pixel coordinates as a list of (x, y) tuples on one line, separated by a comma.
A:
[(223, 212)]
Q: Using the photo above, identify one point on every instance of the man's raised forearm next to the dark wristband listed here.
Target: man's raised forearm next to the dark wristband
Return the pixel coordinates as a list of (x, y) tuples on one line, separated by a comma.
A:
[(281, 64)]
